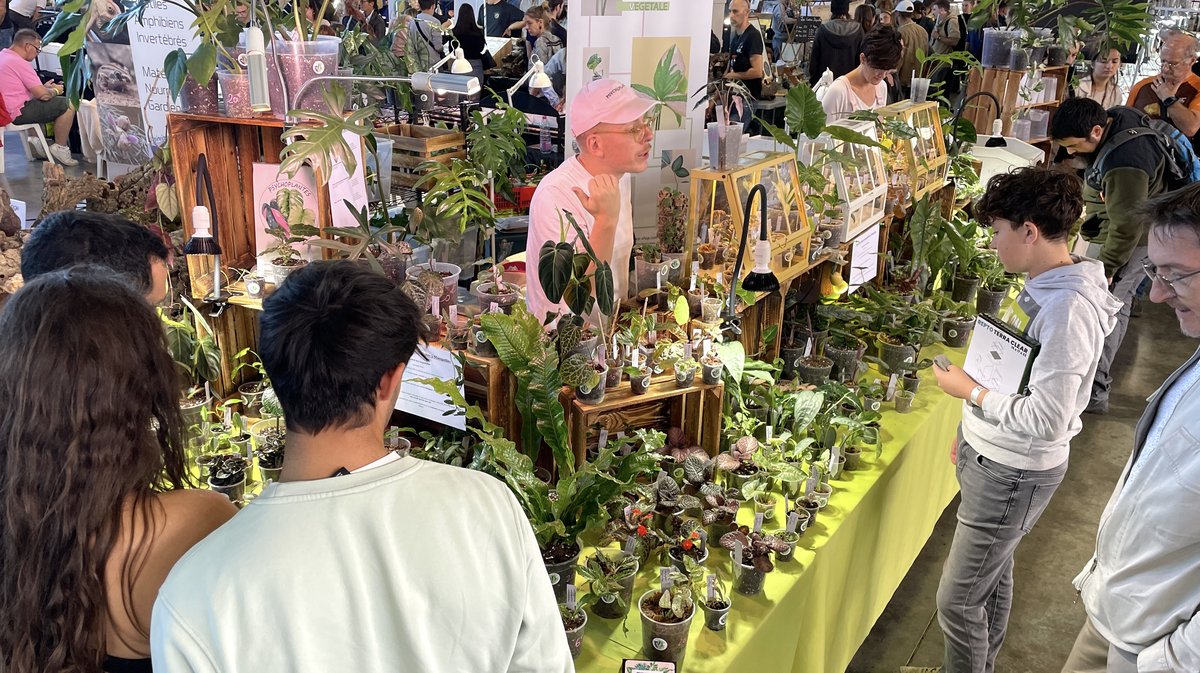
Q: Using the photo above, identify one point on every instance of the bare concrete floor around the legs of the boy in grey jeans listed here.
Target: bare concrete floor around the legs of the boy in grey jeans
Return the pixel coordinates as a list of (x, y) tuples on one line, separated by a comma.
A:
[(1046, 615)]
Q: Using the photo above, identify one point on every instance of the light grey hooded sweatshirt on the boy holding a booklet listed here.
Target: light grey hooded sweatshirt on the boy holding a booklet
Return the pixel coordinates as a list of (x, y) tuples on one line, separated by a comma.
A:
[(1070, 311)]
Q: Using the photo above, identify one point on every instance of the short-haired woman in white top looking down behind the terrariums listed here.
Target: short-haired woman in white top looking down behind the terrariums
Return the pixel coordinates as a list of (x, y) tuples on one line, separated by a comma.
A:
[(866, 88)]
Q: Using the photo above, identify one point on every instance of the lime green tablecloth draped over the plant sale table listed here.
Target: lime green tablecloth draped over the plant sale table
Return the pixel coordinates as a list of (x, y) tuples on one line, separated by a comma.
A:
[(817, 611)]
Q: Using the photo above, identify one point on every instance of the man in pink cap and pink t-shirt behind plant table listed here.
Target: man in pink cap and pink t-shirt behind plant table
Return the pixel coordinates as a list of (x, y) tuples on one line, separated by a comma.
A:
[(614, 136)]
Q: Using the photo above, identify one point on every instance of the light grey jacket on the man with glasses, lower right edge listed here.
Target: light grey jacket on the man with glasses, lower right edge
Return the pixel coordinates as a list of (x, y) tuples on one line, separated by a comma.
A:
[(1142, 590)]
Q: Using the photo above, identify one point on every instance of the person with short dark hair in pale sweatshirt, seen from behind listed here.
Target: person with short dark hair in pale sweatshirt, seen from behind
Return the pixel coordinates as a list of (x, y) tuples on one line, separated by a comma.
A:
[(358, 560)]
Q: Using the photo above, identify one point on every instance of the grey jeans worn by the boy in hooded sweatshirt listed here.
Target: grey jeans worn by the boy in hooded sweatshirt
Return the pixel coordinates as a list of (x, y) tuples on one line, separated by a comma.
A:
[(999, 507)]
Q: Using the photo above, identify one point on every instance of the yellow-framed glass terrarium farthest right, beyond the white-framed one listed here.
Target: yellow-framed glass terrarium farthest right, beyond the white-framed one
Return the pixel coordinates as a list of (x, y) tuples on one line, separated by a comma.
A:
[(920, 161)]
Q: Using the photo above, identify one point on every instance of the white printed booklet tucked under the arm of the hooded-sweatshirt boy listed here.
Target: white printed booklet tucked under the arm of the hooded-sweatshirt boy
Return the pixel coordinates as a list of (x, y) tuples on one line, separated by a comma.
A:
[(1000, 358)]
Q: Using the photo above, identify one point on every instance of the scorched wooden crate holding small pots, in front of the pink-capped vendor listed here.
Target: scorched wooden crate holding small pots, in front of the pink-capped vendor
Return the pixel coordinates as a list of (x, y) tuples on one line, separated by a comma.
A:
[(697, 410)]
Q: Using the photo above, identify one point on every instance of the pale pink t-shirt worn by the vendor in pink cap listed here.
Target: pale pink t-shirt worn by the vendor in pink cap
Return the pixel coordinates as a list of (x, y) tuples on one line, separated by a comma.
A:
[(555, 194)]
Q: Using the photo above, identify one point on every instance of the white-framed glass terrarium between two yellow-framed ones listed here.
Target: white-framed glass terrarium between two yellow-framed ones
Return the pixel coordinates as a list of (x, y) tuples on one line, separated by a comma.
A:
[(859, 175)]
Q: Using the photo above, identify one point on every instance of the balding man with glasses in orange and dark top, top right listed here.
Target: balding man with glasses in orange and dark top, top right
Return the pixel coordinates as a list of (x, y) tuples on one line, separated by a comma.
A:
[(1174, 94)]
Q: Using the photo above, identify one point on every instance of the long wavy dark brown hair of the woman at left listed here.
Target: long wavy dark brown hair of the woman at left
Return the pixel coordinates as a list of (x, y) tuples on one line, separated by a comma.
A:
[(89, 425)]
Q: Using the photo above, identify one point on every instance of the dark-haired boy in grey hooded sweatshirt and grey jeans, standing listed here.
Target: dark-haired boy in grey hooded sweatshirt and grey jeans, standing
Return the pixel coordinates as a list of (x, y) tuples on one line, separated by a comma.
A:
[(1012, 450)]
